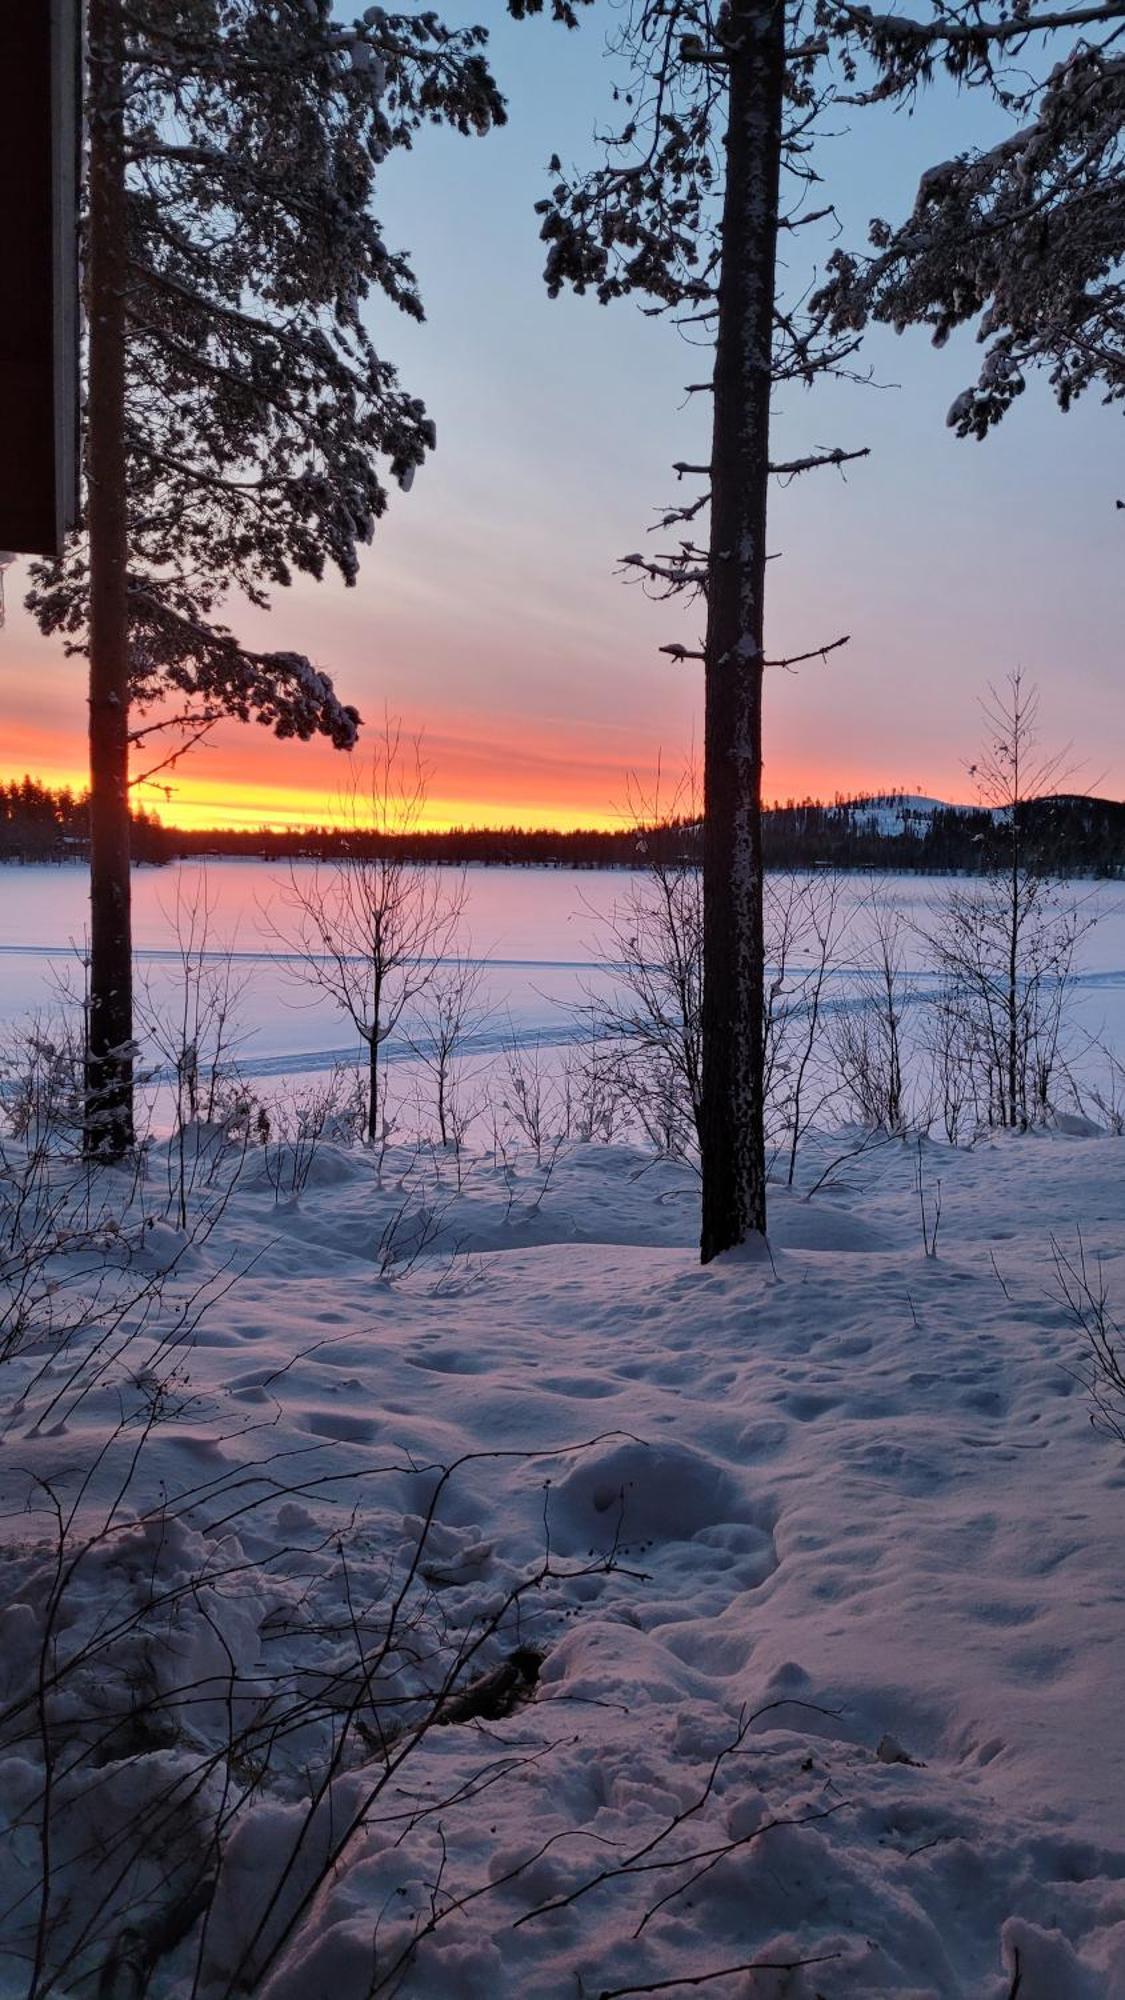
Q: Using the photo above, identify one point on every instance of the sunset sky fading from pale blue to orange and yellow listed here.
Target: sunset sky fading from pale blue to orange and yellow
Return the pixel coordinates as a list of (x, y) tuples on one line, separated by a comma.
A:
[(489, 615)]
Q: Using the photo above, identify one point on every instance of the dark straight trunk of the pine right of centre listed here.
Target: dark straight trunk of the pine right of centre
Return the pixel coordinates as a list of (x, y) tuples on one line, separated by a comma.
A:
[(734, 953)]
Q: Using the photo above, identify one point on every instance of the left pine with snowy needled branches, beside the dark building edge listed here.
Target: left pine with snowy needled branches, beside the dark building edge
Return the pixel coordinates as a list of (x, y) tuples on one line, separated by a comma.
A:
[(243, 423)]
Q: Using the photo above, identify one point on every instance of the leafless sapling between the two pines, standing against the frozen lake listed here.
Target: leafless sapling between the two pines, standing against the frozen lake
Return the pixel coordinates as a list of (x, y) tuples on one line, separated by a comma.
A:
[(369, 927)]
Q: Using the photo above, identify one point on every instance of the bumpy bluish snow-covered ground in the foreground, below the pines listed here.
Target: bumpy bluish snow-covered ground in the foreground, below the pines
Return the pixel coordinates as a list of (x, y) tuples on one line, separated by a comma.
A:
[(806, 1573)]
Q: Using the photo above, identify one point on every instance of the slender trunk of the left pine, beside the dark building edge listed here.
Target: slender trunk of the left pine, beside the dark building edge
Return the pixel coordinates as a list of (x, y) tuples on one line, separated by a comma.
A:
[(109, 1055)]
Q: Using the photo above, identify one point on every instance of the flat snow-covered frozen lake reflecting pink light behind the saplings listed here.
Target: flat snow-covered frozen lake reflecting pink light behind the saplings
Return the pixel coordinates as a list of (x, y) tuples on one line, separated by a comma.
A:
[(539, 935)]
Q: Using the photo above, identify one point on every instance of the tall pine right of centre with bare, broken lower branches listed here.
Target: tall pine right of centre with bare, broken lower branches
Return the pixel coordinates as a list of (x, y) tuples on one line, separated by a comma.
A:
[(712, 163)]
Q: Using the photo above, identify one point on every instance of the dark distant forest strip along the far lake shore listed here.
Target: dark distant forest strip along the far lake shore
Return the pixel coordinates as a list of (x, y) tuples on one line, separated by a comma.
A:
[(1070, 835)]
